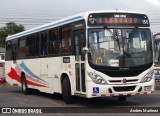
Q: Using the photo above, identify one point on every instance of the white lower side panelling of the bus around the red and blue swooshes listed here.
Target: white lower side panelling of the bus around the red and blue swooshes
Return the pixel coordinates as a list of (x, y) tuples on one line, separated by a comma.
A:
[(47, 69)]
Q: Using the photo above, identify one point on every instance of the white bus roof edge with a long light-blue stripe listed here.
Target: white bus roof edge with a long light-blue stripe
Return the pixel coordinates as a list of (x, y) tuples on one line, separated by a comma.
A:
[(63, 21)]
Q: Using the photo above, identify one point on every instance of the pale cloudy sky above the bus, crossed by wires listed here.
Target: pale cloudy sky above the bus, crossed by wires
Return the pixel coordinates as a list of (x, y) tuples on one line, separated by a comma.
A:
[(32, 13)]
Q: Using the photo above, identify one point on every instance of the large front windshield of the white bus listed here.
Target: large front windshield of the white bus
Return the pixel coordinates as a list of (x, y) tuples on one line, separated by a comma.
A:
[(120, 47)]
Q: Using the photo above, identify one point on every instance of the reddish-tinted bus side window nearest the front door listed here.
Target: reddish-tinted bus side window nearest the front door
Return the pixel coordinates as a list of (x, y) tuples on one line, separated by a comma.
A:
[(66, 39)]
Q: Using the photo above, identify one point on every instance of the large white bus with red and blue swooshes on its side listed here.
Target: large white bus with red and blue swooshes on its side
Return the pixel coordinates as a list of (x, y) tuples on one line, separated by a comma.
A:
[(91, 54)]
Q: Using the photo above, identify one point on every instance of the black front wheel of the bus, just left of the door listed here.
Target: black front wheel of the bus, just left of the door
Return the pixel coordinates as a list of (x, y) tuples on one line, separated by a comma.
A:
[(66, 91)]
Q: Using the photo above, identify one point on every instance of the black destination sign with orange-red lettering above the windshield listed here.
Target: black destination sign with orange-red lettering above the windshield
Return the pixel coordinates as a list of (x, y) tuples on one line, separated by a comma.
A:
[(118, 19)]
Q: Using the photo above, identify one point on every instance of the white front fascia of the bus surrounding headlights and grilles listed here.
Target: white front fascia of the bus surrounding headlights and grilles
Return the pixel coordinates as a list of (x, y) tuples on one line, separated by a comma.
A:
[(103, 89)]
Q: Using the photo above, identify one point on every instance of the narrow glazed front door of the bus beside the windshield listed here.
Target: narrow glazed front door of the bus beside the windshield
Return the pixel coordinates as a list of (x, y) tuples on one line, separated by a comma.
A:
[(79, 43)]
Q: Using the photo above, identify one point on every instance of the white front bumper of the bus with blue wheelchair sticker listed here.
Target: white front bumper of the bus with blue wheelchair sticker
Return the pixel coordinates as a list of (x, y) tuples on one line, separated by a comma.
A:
[(95, 90)]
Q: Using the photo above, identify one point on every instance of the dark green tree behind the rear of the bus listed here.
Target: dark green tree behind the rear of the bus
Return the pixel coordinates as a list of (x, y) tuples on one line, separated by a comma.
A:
[(10, 29)]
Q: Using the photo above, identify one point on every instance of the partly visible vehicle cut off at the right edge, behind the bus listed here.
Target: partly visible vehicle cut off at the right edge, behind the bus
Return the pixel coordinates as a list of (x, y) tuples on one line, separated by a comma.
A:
[(156, 38)]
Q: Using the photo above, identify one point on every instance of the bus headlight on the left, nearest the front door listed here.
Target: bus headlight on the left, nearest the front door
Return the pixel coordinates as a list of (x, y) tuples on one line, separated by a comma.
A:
[(96, 78)]
